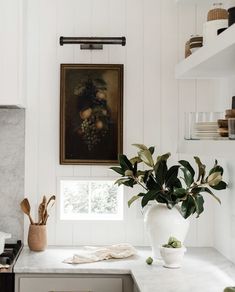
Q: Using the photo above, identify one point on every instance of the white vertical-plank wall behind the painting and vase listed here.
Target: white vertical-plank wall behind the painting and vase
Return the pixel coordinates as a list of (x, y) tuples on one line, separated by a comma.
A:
[(154, 101)]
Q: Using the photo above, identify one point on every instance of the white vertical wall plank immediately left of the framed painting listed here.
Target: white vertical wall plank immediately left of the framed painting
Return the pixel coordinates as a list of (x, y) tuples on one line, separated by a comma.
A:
[(48, 98)]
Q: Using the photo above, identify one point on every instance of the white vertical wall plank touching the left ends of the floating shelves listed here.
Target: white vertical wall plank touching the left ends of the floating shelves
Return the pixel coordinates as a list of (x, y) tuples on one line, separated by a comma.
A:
[(169, 85)]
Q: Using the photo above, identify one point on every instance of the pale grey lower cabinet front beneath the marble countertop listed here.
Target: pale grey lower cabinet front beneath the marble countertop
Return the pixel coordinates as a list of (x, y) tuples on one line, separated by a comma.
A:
[(75, 283)]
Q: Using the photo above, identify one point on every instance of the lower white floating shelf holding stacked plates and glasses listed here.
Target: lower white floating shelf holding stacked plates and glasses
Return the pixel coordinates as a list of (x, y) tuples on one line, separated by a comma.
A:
[(210, 148)]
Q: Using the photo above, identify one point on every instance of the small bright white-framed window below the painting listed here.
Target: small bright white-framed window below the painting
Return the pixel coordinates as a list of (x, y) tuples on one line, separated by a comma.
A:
[(90, 200)]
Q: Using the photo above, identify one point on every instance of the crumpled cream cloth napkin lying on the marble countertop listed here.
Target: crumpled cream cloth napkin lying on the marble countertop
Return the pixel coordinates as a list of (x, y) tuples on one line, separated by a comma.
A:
[(95, 254)]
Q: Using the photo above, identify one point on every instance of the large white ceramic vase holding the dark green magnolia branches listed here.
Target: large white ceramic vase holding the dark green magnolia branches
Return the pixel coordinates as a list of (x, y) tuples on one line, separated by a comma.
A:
[(162, 223)]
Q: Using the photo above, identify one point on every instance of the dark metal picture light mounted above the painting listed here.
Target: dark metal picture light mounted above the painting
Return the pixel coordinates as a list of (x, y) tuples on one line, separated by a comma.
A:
[(93, 43)]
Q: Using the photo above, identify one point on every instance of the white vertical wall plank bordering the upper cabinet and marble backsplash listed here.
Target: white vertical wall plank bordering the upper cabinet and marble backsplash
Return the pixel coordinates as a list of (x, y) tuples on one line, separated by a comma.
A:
[(32, 115)]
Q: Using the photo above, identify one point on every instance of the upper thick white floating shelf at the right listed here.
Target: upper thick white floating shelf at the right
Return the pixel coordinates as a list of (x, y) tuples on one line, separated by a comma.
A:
[(216, 60)]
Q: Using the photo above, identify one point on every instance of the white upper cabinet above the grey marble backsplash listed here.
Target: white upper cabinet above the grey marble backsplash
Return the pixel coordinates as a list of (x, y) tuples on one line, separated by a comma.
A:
[(11, 52)]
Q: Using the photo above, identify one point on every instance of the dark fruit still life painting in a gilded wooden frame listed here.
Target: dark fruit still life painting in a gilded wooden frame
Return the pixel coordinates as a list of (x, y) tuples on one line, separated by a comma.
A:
[(91, 113)]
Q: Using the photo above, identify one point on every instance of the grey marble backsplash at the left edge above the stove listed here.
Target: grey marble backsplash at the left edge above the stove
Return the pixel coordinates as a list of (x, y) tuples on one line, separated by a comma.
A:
[(12, 155)]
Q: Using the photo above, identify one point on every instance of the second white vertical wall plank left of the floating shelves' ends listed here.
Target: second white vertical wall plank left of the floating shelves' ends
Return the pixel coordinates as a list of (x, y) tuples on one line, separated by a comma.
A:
[(152, 73)]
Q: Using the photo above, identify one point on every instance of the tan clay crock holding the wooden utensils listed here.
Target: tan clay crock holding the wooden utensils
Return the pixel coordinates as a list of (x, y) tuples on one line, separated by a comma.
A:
[(37, 237)]
